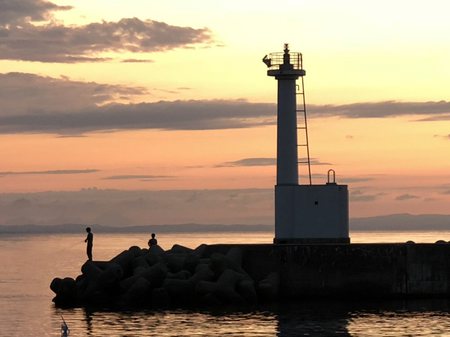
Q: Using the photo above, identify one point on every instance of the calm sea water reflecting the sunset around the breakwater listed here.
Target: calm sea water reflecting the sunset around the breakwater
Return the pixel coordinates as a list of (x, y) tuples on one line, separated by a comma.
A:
[(29, 263)]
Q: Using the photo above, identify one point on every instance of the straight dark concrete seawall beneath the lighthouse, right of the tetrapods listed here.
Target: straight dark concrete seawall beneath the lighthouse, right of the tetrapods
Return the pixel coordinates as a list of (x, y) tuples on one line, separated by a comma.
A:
[(351, 270)]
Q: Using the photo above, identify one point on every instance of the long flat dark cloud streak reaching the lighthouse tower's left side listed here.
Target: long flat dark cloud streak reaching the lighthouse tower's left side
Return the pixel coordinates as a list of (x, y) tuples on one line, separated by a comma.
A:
[(178, 115)]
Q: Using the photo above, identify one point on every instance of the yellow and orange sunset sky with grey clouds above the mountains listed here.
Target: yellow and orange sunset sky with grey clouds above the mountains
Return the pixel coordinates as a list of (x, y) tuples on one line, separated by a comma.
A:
[(153, 112)]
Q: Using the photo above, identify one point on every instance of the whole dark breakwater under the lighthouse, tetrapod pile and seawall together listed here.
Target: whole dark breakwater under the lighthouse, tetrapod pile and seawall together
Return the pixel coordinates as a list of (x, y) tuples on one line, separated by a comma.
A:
[(249, 274)]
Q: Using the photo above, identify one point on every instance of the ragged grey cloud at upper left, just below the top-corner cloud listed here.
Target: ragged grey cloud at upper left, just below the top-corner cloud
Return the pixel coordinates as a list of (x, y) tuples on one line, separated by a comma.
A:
[(74, 44)]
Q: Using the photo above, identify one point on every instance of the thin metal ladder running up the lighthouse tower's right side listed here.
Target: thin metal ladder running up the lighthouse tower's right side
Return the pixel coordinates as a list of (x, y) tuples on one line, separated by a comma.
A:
[(302, 129)]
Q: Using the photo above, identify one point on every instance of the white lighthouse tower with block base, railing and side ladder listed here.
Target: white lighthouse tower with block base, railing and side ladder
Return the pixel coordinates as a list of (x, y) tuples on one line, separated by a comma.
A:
[(304, 213)]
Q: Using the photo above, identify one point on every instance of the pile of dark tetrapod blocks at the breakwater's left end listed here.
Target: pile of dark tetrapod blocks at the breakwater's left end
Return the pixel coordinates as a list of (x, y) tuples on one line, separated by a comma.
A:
[(180, 276)]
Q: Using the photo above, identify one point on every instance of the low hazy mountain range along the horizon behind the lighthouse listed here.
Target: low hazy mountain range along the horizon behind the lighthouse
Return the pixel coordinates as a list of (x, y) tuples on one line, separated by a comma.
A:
[(393, 222)]
